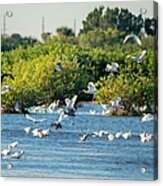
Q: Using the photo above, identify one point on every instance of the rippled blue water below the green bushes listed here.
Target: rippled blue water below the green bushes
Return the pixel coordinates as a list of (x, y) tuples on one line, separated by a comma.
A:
[(60, 155)]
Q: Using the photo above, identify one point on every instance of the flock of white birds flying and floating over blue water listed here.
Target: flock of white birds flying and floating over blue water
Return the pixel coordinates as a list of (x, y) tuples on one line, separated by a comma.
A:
[(70, 110)]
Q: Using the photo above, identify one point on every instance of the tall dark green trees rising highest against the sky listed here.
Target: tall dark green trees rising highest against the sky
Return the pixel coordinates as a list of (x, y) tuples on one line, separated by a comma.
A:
[(120, 19)]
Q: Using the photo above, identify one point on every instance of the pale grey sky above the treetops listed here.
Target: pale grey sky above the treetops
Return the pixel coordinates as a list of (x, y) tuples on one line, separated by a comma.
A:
[(26, 19)]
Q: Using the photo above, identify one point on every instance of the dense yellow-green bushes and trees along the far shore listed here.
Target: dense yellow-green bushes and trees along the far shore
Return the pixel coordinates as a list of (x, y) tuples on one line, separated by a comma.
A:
[(83, 58)]
